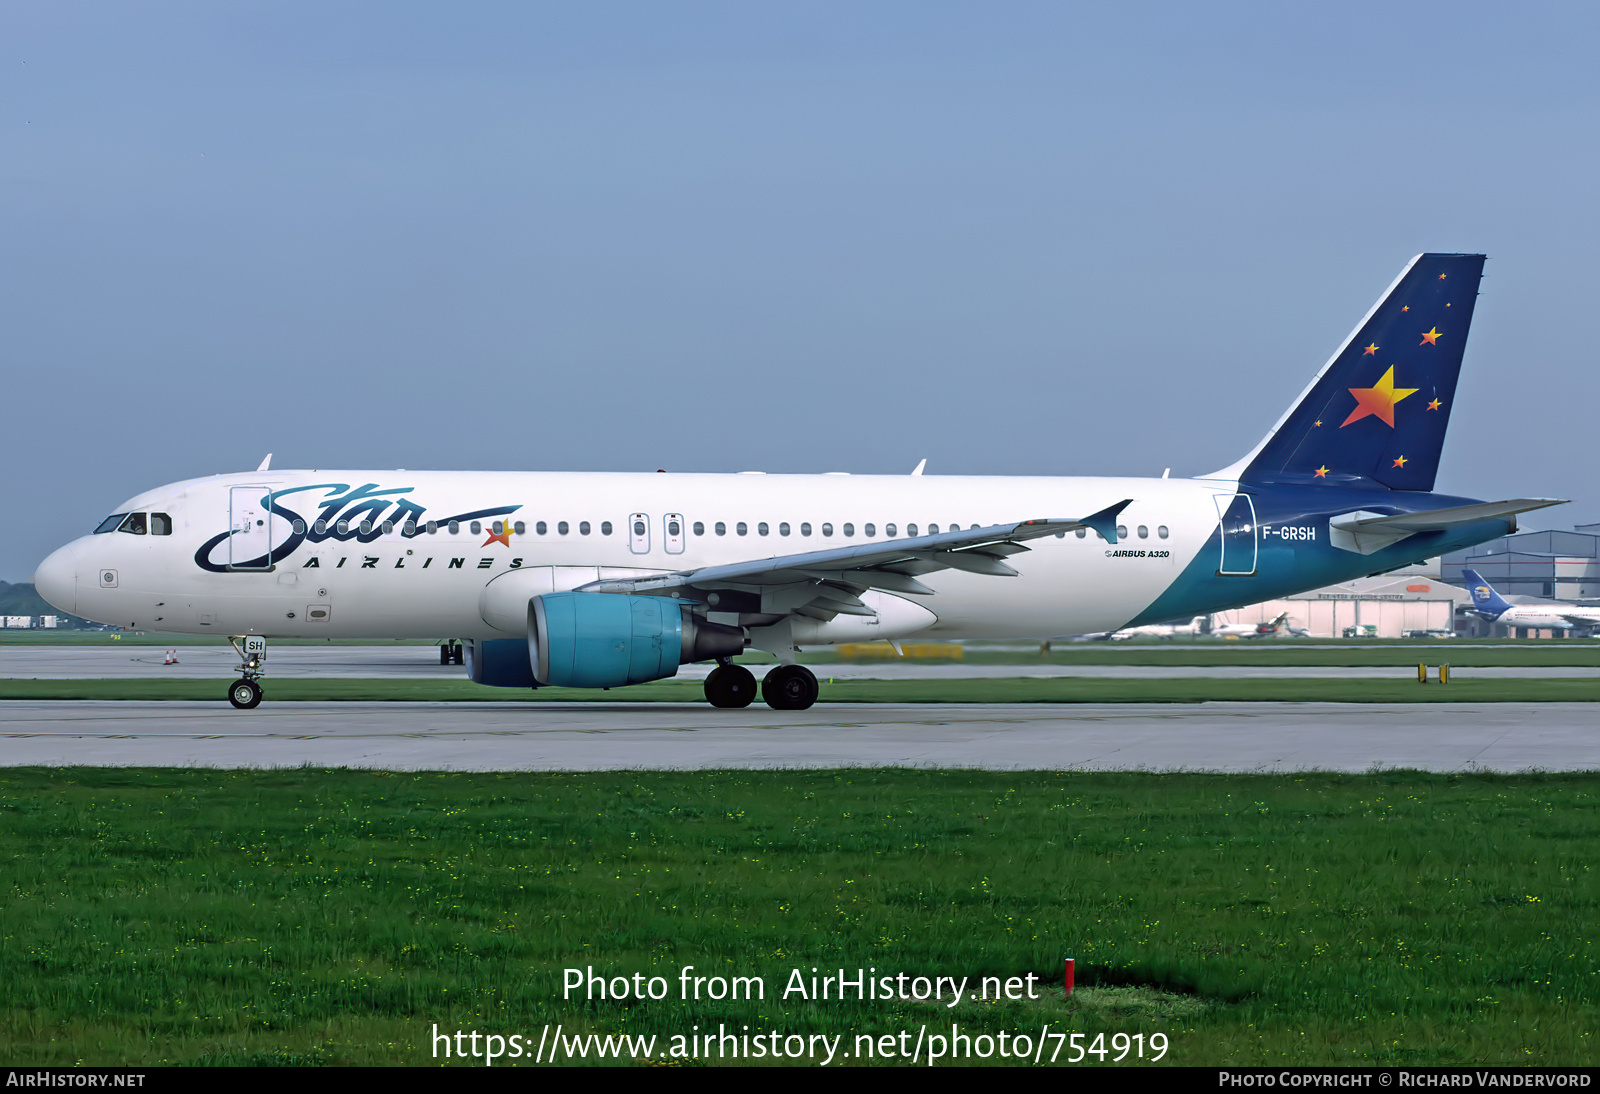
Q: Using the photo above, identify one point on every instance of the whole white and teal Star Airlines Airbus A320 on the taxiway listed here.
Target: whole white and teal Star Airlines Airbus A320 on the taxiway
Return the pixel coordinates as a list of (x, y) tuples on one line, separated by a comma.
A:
[(609, 580)]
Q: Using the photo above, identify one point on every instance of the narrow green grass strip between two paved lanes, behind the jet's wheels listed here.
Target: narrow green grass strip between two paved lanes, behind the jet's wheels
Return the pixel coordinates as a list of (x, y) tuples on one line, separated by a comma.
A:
[(1017, 690)]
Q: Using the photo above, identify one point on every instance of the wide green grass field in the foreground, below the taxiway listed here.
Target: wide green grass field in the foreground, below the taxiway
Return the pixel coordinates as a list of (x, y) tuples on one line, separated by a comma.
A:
[(334, 917)]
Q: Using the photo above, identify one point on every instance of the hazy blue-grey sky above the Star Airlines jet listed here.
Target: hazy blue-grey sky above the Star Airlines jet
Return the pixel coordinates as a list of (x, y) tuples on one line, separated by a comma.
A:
[(1007, 238)]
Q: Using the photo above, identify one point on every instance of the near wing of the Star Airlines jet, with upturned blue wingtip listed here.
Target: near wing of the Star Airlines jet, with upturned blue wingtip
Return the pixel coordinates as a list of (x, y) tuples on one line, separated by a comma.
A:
[(823, 585)]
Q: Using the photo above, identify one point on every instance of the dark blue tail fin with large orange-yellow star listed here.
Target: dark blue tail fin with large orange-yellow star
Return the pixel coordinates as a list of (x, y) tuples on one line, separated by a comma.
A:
[(1378, 410)]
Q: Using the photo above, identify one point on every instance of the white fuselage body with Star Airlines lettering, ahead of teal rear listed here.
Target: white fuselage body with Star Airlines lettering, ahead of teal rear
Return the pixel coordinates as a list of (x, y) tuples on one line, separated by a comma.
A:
[(433, 583)]
